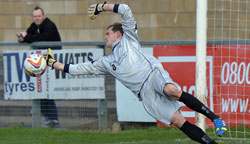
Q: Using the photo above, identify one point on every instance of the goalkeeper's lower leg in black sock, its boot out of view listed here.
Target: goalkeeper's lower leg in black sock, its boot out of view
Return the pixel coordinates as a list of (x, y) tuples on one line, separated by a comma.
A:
[(192, 131)]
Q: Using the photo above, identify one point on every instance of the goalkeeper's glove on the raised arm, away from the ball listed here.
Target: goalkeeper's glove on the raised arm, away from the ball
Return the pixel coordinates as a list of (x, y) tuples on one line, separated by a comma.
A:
[(95, 9)]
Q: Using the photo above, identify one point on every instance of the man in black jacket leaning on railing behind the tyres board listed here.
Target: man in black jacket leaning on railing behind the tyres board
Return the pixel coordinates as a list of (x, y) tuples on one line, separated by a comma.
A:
[(43, 29)]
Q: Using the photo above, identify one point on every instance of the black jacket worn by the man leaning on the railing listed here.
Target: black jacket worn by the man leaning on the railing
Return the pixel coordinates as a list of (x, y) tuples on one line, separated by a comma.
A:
[(46, 31)]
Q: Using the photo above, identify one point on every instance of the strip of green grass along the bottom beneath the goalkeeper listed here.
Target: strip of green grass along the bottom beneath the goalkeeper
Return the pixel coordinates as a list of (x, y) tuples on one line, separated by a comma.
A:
[(19, 135)]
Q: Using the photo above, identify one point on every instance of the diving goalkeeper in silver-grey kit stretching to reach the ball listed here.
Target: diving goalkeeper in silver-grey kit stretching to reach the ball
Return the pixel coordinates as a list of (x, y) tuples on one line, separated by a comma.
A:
[(142, 74)]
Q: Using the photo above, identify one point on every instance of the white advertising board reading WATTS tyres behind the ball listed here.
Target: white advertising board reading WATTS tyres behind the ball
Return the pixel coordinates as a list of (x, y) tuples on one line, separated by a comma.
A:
[(52, 84)]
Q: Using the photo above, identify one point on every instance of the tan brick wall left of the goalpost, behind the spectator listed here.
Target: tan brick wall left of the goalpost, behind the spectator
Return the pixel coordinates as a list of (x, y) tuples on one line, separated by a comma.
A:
[(157, 19)]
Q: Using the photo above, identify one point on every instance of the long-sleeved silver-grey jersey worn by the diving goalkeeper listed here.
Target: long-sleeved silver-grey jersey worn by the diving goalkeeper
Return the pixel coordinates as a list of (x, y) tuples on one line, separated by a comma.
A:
[(127, 62)]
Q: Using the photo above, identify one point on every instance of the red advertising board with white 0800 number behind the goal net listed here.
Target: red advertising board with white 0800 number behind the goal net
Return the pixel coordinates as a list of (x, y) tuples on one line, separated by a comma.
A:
[(228, 78)]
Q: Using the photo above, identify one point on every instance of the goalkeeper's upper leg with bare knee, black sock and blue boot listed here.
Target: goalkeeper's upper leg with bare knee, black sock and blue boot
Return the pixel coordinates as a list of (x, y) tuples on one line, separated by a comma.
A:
[(193, 103)]
